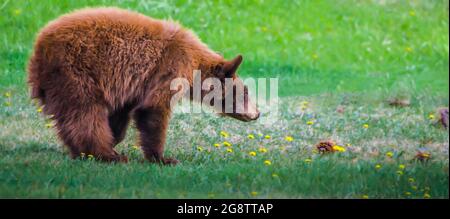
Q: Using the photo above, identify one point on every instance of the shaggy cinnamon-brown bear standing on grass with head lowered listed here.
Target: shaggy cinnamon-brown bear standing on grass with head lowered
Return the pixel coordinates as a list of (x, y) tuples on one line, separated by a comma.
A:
[(95, 69)]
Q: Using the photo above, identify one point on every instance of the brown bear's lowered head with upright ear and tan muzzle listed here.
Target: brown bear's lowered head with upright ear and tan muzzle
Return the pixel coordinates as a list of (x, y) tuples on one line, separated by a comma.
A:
[(234, 97)]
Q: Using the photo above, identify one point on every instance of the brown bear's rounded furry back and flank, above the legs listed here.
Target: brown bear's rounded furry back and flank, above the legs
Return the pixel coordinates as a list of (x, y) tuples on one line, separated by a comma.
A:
[(108, 50)]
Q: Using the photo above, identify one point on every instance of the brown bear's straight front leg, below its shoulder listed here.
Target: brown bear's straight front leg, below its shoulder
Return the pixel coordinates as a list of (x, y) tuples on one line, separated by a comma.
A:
[(152, 124)]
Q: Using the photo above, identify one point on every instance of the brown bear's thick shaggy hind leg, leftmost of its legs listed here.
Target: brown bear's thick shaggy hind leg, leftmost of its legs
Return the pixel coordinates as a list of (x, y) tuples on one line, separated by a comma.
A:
[(87, 131)]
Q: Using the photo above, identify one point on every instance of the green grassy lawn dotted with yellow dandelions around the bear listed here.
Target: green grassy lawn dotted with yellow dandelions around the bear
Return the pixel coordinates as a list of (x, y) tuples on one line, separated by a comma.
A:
[(328, 55)]
